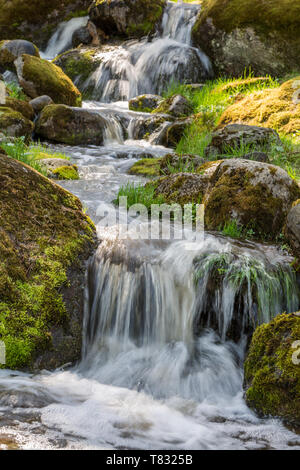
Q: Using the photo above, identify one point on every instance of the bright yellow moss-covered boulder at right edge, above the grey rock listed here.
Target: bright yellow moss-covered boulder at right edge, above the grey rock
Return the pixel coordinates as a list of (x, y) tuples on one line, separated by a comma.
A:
[(277, 108)]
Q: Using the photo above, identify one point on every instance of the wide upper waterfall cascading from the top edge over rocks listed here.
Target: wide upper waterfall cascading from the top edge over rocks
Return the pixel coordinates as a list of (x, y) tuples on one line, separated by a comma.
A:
[(149, 65)]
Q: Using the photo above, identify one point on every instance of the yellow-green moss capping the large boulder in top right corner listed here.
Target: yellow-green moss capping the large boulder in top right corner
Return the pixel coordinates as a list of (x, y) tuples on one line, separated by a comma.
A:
[(265, 16)]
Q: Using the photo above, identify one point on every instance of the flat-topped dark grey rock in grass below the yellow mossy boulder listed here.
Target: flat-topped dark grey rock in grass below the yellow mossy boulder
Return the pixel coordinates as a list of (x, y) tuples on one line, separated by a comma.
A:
[(237, 136)]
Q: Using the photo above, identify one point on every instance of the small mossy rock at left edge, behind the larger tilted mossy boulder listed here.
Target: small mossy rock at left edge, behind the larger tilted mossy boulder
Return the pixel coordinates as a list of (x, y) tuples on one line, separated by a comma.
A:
[(11, 50)]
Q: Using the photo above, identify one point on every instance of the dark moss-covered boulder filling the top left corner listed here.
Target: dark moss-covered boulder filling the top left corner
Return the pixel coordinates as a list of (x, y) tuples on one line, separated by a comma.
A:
[(36, 20)]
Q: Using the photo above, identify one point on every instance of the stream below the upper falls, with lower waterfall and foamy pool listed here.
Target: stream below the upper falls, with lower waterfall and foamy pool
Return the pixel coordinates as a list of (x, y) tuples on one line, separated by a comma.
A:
[(164, 336)]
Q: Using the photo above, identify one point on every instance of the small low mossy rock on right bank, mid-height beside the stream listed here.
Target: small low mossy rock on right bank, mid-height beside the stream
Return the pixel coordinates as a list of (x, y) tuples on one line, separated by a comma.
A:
[(172, 162)]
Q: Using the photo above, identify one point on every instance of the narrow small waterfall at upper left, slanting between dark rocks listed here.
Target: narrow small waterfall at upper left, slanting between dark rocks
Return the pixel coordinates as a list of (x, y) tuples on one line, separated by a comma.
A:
[(62, 38)]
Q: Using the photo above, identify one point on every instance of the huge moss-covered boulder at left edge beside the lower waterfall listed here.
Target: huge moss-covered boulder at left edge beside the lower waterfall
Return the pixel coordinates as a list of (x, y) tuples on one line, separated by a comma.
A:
[(45, 240)]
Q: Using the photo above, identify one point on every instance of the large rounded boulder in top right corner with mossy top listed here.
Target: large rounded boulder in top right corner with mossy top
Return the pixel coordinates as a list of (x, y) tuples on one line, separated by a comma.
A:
[(238, 34)]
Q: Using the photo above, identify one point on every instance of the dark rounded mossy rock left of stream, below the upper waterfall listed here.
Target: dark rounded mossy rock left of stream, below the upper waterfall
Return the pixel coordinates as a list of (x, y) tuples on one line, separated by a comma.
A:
[(73, 126)]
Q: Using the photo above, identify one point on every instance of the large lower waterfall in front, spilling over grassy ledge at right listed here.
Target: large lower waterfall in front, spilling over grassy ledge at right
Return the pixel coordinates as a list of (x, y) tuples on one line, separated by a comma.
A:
[(153, 323)]
